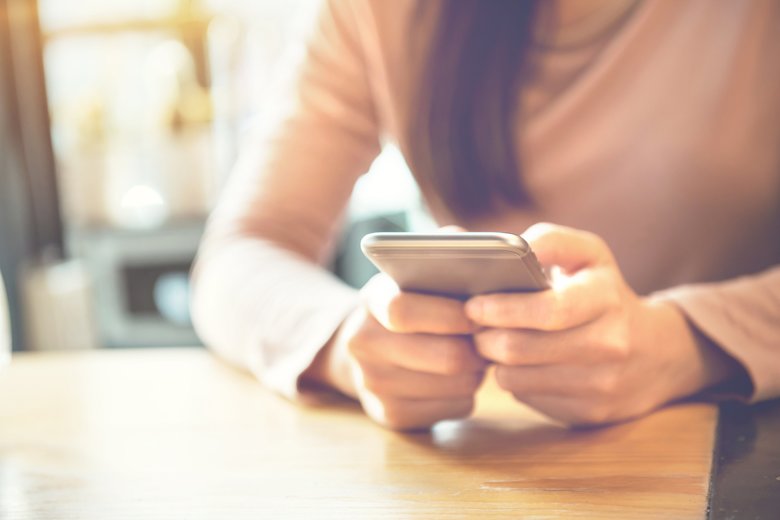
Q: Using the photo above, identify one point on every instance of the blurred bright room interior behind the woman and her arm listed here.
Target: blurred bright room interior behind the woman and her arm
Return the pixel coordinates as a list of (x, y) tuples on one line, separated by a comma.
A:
[(119, 124)]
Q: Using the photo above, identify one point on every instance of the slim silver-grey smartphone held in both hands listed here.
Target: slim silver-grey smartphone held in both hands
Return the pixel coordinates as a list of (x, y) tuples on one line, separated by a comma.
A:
[(456, 265)]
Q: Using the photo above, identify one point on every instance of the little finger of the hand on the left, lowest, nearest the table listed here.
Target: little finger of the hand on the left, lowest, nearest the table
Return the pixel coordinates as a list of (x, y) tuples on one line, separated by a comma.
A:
[(409, 414)]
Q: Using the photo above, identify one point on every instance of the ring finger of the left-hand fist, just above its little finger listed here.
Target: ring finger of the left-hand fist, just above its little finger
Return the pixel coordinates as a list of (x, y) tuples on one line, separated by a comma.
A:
[(408, 384)]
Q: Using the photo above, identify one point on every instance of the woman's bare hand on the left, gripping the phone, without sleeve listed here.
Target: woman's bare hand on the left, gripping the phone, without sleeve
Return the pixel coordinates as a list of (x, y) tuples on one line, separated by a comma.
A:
[(409, 358)]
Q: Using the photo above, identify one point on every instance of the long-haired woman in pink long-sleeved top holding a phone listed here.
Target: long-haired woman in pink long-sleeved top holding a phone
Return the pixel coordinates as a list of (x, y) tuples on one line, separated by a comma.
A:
[(647, 131)]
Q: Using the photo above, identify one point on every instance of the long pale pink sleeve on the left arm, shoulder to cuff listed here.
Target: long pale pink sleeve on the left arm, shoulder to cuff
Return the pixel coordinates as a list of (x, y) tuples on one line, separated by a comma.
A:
[(261, 298)]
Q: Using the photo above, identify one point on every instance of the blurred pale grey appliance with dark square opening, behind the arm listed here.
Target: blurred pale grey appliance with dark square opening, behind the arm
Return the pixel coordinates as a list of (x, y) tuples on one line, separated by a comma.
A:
[(140, 282)]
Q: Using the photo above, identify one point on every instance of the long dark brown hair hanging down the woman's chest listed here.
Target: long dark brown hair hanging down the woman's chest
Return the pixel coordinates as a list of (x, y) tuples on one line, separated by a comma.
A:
[(463, 118)]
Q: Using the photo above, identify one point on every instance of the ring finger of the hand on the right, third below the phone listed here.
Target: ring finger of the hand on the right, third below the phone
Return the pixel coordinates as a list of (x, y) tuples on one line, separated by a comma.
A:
[(566, 380)]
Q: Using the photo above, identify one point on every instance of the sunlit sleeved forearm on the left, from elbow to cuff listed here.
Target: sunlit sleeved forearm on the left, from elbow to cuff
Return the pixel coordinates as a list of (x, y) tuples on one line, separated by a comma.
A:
[(266, 309)]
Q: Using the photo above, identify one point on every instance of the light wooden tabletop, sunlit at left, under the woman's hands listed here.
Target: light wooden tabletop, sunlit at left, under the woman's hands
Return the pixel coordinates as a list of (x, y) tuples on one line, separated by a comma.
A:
[(177, 434)]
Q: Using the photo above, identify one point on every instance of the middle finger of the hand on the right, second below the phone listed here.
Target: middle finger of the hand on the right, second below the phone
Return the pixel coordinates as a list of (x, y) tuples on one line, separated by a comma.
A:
[(586, 344)]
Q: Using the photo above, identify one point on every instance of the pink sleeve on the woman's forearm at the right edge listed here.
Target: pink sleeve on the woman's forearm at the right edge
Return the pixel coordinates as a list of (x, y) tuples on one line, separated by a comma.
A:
[(741, 316)]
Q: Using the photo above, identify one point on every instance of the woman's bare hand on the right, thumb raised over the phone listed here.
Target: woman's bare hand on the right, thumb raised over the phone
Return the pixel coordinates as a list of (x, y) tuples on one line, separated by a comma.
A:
[(589, 350)]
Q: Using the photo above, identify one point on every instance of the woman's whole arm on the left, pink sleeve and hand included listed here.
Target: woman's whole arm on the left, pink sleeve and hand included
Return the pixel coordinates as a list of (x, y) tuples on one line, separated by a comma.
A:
[(261, 299)]
